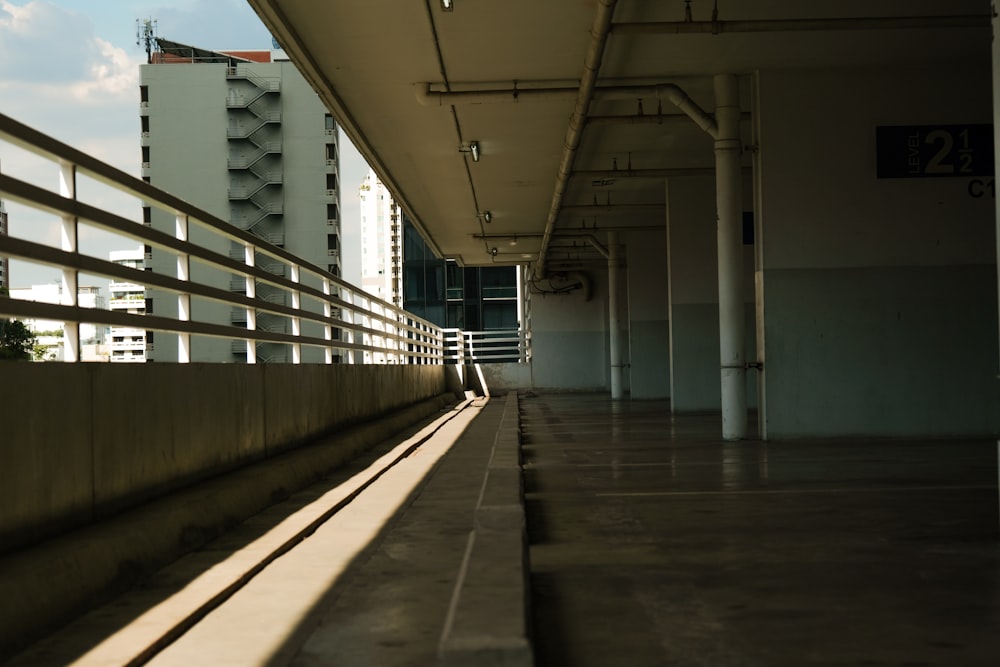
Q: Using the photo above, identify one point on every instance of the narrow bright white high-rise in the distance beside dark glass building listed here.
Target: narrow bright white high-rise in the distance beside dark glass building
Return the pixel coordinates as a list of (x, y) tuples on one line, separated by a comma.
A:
[(381, 247)]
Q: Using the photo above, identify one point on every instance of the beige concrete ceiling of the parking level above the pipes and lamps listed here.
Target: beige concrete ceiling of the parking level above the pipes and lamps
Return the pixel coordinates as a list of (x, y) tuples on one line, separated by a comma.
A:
[(373, 62)]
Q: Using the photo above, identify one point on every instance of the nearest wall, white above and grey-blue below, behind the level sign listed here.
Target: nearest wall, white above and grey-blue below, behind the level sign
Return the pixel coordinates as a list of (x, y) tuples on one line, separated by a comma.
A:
[(879, 294)]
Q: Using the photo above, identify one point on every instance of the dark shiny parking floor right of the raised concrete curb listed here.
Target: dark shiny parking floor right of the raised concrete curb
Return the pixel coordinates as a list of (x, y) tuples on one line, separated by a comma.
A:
[(655, 543)]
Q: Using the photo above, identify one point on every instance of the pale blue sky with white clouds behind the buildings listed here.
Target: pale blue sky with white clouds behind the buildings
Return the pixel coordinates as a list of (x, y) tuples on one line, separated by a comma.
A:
[(70, 68)]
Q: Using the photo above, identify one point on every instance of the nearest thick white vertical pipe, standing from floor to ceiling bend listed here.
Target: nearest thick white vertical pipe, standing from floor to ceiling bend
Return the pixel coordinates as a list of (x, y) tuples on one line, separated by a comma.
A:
[(729, 205)]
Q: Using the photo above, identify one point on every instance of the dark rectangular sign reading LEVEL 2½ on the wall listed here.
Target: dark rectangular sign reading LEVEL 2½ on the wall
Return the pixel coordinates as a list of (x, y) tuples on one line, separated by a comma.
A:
[(934, 151)]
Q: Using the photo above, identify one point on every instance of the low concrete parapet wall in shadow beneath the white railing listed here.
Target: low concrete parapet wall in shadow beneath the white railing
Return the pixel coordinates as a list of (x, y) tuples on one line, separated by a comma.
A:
[(83, 441)]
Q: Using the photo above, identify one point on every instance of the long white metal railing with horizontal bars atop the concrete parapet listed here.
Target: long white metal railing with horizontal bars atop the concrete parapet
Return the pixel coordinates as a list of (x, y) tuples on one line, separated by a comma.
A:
[(356, 327)]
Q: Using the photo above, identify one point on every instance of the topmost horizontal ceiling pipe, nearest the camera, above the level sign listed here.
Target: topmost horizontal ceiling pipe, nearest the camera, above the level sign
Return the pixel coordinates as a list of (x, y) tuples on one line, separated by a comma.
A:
[(799, 25)]
